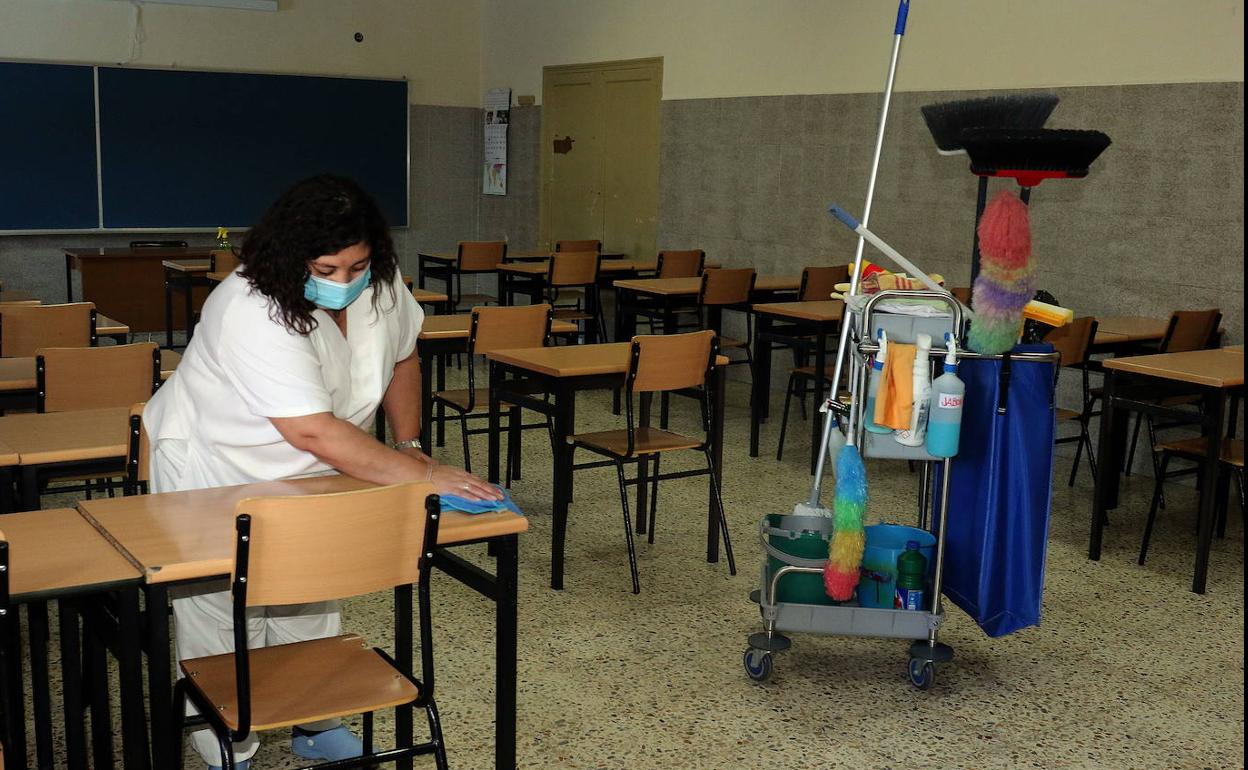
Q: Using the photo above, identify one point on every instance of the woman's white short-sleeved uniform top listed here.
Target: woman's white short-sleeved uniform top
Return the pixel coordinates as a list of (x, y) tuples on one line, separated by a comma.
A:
[(243, 368)]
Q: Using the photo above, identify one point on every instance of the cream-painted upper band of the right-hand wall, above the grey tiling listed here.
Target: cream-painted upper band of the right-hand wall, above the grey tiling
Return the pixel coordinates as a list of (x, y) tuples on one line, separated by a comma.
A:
[(758, 48)]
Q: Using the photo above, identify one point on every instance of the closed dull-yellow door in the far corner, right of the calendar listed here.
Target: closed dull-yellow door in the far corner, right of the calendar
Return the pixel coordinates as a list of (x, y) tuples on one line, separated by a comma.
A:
[(601, 154)]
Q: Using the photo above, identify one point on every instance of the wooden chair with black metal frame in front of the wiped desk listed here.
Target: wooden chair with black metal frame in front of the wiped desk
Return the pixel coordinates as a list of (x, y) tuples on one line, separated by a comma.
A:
[(315, 548)]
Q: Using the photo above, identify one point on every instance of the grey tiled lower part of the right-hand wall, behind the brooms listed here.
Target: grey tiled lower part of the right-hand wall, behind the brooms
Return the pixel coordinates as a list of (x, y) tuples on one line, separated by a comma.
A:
[(1159, 224)]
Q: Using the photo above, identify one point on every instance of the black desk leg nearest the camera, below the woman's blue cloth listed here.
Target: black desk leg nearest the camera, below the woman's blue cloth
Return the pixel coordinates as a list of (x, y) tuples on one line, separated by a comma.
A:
[(506, 652)]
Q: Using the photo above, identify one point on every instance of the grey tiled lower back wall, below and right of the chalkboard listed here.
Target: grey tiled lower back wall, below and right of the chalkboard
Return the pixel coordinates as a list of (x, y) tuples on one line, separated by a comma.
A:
[(446, 190)]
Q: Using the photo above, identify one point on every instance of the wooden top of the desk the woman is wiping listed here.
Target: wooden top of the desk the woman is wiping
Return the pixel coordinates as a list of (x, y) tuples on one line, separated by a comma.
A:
[(180, 536)]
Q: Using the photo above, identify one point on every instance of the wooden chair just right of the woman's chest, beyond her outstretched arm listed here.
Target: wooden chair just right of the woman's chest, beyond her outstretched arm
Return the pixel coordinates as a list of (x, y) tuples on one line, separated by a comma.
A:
[(496, 329)]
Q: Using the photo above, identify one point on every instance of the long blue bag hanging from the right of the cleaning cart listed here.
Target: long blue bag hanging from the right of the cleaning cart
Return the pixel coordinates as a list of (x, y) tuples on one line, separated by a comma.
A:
[(1002, 492)]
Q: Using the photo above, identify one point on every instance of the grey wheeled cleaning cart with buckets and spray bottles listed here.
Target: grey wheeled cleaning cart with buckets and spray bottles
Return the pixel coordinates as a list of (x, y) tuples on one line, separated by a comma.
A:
[(789, 595)]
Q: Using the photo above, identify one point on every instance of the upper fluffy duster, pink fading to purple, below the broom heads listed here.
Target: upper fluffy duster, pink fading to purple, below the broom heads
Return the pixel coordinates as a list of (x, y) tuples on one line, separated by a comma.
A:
[(1007, 281)]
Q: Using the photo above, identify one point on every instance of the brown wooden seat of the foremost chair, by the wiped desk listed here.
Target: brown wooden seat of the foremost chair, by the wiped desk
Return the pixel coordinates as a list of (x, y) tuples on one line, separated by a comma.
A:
[(304, 682)]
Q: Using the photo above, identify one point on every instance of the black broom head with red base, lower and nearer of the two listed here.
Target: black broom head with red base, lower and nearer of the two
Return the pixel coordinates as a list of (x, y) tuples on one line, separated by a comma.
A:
[(1033, 155)]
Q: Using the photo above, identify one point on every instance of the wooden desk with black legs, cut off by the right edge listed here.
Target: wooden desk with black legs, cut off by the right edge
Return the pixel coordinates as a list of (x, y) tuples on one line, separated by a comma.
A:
[(1212, 374)]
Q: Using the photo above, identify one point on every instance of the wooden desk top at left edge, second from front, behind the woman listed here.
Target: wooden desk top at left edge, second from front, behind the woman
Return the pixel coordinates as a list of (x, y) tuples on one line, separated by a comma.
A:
[(68, 436)]
